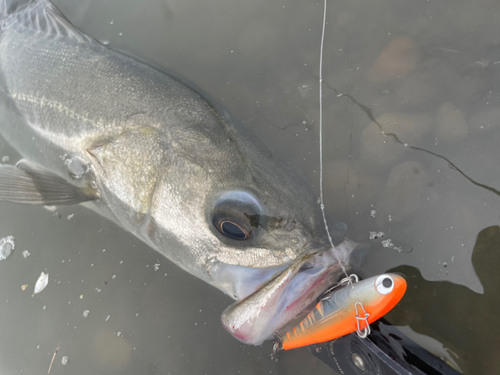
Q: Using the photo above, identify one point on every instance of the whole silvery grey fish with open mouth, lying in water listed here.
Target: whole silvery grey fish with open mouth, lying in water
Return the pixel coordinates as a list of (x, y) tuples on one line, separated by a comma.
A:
[(156, 155)]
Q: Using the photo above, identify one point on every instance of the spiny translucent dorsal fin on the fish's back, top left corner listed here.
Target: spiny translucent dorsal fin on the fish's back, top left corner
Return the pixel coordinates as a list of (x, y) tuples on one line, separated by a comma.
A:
[(38, 15)]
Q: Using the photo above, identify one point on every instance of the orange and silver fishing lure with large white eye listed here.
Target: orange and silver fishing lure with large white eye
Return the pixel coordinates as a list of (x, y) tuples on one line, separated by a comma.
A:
[(346, 310)]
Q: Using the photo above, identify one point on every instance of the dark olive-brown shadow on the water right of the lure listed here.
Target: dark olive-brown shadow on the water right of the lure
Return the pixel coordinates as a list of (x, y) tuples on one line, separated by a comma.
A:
[(465, 322)]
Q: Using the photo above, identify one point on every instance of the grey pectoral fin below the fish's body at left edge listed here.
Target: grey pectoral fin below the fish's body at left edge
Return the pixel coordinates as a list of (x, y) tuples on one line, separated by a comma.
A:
[(26, 184)]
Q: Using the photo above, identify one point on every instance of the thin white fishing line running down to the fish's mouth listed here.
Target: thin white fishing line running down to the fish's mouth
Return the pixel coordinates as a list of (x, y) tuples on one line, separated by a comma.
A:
[(322, 205)]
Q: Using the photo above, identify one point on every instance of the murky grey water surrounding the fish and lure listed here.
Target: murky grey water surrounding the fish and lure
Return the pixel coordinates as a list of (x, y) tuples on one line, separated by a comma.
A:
[(427, 72)]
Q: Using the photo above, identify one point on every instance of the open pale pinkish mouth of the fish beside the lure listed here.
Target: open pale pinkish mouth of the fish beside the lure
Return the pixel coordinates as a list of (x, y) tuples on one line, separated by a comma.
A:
[(288, 297)]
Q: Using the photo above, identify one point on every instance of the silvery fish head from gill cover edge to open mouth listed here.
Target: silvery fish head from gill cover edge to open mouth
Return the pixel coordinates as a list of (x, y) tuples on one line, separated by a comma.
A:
[(216, 202)]
